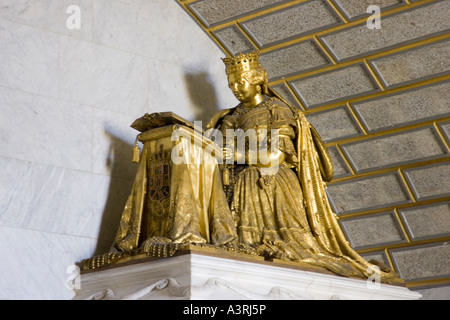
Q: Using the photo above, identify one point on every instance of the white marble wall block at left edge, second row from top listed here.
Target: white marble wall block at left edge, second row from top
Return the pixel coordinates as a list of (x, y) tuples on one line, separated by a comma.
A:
[(29, 59)]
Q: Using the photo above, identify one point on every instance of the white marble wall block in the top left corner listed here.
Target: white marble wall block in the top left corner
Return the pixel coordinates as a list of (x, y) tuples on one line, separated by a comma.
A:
[(51, 15)]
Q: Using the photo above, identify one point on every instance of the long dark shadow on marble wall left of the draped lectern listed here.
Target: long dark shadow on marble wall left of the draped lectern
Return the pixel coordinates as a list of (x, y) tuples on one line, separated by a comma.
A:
[(122, 172)]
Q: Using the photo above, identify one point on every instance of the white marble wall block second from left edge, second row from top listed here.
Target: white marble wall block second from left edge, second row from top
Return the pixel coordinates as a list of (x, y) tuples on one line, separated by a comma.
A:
[(103, 77)]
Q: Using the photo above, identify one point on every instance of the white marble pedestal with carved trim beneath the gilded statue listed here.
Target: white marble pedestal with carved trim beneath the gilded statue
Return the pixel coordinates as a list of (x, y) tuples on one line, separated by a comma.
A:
[(199, 275)]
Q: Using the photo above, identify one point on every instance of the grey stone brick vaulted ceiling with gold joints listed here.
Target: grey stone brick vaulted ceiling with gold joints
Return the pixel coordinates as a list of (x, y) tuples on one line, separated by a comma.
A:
[(380, 100)]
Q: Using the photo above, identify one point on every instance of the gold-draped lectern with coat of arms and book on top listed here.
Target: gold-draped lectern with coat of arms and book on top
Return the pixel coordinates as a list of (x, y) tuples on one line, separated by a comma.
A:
[(172, 203)]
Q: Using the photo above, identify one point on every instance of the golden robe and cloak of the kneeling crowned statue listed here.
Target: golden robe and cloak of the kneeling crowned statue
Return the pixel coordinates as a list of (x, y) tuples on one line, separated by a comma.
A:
[(287, 215)]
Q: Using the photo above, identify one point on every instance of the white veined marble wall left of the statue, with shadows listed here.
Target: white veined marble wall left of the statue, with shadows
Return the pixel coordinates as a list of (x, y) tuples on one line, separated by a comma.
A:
[(67, 99)]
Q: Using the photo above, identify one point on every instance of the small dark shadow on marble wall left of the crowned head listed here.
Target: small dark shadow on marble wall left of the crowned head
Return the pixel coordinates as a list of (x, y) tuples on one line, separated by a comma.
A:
[(202, 95)]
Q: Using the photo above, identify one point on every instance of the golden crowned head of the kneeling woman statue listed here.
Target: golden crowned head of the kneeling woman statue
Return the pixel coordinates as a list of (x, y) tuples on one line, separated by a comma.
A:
[(246, 76)]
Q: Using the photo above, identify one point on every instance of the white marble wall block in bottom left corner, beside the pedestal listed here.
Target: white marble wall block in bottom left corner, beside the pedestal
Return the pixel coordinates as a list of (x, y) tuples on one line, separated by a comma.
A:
[(34, 264)]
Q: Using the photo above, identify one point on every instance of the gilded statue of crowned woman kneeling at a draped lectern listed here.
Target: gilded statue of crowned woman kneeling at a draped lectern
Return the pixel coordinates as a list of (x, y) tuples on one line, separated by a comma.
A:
[(266, 198)]
